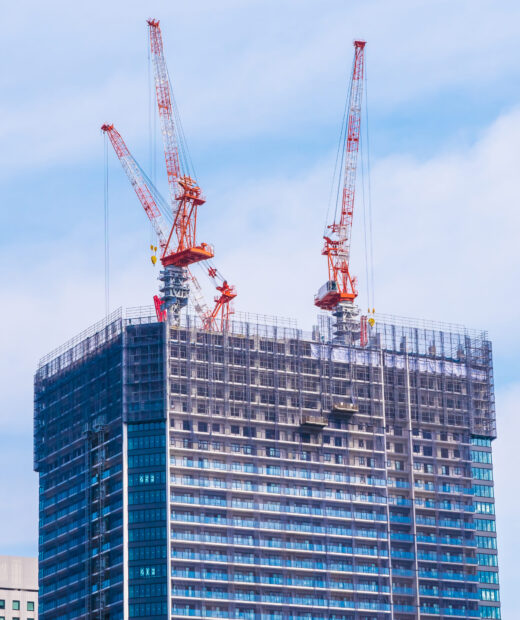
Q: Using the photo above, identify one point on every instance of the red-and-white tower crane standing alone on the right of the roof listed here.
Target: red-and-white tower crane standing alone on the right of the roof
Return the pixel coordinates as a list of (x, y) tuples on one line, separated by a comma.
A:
[(339, 293)]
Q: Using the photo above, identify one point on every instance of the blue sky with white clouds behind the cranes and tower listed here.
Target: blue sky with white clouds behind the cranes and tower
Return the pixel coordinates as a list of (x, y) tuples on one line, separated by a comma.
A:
[(261, 87)]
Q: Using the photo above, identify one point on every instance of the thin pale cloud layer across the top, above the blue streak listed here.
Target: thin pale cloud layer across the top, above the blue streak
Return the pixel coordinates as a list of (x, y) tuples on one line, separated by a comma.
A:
[(266, 69)]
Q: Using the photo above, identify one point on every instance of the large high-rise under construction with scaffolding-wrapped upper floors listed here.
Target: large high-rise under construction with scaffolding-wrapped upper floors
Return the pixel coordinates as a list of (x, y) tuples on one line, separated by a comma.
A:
[(266, 473)]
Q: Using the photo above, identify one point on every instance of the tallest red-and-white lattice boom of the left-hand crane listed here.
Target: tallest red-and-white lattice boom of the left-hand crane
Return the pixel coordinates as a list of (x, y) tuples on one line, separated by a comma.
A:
[(165, 106)]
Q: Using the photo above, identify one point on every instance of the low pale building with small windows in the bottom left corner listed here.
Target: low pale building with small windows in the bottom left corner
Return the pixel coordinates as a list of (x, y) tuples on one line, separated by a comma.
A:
[(18, 588)]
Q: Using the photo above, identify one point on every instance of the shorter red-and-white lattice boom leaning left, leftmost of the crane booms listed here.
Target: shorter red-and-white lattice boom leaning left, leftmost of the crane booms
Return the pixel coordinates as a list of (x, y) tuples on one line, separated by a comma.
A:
[(136, 178)]
